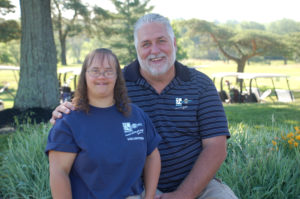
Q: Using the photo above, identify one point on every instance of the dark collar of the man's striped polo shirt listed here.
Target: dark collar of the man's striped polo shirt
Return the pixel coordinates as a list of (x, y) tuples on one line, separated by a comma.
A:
[(132, 71)]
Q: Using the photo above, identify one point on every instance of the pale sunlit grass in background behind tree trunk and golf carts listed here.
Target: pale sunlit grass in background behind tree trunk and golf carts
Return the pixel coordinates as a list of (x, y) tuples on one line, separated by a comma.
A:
[(208, 67)]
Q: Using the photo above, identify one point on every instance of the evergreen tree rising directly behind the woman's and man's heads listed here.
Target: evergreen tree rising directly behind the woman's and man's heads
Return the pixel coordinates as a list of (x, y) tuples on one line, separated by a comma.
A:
[(121, 27)]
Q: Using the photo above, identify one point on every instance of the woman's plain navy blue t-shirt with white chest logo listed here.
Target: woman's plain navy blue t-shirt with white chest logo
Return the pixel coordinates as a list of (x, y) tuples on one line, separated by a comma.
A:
[(111, 150)]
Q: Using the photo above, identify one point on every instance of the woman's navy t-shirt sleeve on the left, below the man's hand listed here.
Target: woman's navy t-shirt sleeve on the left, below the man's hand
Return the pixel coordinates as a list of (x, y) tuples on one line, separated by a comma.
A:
[(61, 138)]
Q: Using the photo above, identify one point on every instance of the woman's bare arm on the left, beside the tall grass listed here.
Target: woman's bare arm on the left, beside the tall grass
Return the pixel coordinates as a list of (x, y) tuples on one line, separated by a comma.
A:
[(60, 164)]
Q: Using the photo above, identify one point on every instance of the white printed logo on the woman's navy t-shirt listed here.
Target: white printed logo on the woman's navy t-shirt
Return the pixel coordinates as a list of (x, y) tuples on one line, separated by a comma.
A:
[(133, 131)]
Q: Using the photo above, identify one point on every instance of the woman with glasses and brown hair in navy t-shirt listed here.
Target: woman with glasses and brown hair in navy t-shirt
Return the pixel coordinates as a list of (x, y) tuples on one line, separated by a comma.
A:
[(101, 149)]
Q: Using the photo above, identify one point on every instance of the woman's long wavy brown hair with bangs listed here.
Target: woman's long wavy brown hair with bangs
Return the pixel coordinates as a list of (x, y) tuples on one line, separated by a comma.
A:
[(121, 98)]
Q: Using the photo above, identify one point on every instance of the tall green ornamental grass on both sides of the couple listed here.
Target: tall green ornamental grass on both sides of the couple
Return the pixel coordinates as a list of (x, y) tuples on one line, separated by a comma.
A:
[(253, 168)]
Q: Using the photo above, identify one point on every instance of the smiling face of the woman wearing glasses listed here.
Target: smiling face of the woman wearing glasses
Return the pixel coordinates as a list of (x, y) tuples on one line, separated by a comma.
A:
[(101, 78)]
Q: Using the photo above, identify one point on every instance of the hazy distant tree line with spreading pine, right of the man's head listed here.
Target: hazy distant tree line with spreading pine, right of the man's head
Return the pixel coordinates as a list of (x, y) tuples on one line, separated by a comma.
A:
[(241, 41)]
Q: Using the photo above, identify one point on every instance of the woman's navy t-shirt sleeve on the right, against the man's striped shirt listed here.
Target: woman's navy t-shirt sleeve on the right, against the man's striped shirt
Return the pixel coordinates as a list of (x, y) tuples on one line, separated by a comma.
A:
[(153, 138)]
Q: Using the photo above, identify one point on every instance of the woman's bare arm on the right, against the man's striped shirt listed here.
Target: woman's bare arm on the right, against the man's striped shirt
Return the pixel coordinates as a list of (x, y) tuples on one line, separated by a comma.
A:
[(151, 173)]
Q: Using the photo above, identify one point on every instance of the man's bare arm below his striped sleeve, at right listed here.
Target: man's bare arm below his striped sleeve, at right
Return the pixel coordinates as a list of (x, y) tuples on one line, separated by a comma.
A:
[(209, 161)]
